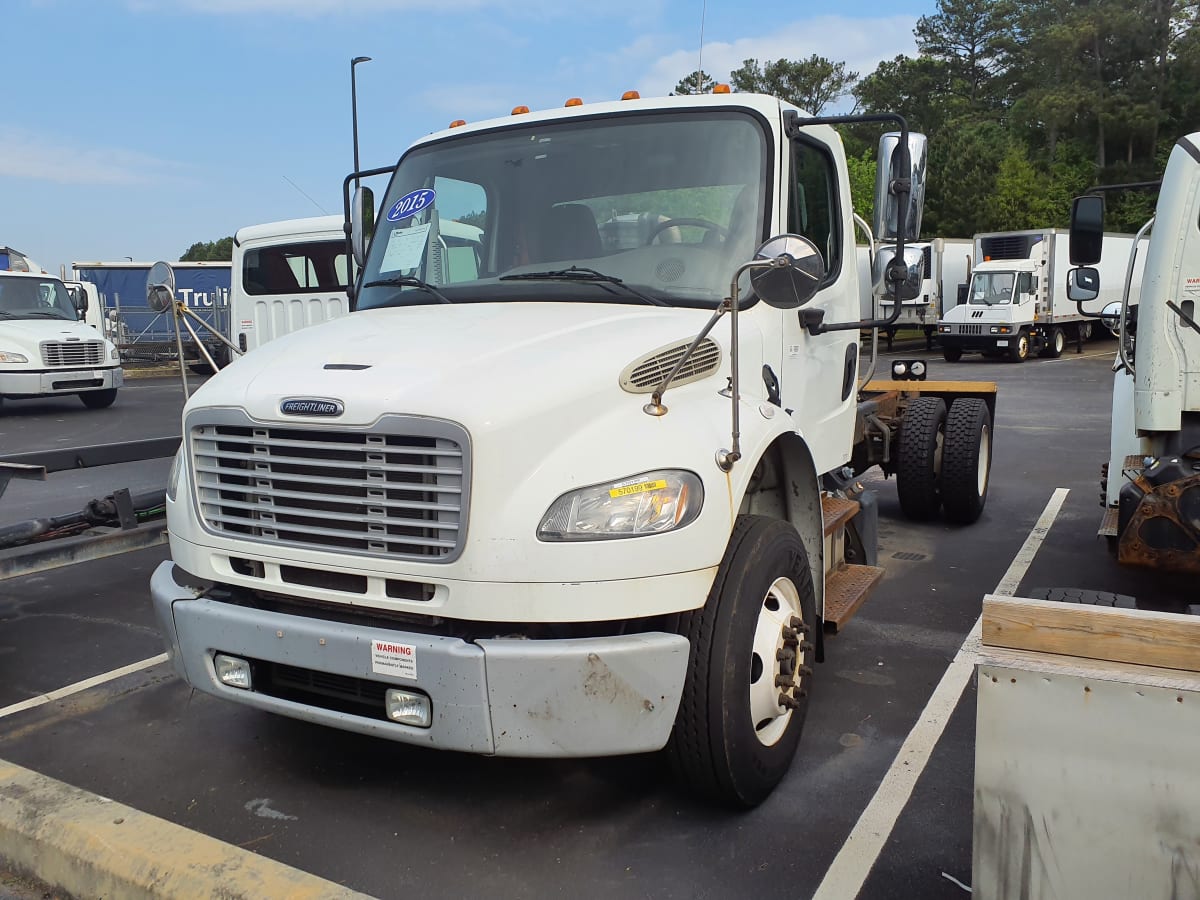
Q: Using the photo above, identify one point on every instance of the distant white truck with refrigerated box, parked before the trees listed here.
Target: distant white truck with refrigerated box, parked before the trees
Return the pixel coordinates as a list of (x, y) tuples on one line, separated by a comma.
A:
[(1017, 301)]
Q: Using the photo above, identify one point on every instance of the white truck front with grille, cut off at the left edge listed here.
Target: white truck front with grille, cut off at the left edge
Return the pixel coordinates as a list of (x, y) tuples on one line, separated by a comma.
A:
[(45, 347)]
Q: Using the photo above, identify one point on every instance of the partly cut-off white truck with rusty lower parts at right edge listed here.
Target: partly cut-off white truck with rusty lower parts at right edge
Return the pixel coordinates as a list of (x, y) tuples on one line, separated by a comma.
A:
[(1151, 484)]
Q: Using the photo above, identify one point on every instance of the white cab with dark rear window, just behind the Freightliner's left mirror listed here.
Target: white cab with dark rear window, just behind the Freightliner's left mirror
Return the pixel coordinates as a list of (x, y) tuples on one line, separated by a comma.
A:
[(286, 277)]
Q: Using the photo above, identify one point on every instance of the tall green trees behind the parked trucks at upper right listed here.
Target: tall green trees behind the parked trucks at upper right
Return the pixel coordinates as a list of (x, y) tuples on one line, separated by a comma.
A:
[(1027, 105)]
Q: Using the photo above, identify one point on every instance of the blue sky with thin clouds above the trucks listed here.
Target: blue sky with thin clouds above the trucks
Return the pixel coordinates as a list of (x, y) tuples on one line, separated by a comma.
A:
[(139, 128)]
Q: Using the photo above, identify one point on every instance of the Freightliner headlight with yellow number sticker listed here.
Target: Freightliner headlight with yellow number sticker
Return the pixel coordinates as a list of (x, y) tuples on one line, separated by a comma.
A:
[(651, 503)]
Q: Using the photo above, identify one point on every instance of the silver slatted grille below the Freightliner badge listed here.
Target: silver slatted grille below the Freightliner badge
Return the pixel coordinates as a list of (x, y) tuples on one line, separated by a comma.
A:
[(398, 490)]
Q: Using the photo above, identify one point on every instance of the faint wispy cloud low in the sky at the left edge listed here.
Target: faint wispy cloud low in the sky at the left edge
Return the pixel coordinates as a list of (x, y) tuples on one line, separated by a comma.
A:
[(41, 158)]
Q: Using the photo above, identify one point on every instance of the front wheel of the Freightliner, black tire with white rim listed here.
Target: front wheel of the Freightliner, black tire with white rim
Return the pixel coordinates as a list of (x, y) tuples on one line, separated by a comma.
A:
[(751, 670)]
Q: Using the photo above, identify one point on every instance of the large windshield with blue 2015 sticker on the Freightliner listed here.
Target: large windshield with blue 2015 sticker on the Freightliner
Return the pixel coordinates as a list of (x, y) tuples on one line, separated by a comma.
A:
[(670, 205)]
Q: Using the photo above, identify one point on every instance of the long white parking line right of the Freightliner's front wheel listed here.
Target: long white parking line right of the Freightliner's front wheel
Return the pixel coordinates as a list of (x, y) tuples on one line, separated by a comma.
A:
[(848, 874)]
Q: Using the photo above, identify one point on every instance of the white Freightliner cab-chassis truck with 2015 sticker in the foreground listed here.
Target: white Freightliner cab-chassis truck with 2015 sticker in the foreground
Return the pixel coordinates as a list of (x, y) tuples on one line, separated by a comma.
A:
[(549, 495)]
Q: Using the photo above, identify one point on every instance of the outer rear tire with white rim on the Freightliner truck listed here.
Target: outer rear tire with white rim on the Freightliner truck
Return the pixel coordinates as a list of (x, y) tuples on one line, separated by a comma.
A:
[(967, 460)]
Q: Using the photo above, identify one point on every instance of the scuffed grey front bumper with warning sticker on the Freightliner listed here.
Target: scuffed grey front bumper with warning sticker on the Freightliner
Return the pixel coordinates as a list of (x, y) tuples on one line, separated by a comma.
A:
[(573, 698)]
